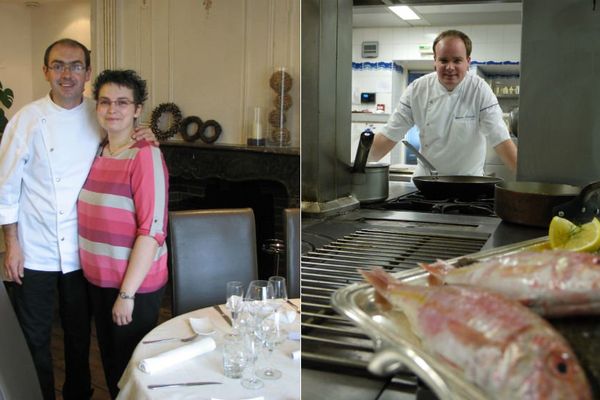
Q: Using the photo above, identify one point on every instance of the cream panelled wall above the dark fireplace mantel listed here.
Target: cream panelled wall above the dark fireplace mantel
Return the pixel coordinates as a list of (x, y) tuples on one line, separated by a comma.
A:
[(214, 64)]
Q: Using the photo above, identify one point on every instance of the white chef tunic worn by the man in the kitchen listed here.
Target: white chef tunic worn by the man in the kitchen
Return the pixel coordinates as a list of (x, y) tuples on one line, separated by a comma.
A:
[(453, 125)]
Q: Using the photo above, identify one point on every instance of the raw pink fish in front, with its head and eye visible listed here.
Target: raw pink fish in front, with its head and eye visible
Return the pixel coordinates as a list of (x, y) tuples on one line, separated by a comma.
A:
[(501, 346)]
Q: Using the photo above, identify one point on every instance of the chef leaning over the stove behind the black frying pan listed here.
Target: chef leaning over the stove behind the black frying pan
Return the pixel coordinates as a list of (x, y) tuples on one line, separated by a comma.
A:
[(455, 112)]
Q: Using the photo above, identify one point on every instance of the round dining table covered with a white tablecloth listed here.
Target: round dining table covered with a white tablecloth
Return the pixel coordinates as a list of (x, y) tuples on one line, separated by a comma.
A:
[(208, 367)]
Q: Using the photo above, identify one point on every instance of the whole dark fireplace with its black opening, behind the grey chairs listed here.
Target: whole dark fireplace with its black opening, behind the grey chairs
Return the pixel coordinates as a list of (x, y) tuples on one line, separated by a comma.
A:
[(266, 179)]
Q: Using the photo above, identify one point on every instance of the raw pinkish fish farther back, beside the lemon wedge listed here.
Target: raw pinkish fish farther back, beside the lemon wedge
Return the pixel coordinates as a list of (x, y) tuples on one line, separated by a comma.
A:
[(553, 283)]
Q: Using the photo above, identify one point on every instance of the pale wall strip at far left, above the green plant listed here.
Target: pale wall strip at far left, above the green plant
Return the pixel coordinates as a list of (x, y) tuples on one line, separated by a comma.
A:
[(15, 54)]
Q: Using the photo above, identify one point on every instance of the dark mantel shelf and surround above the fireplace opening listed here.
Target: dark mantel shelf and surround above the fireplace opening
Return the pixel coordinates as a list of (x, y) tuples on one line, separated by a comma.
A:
[(235, 163)]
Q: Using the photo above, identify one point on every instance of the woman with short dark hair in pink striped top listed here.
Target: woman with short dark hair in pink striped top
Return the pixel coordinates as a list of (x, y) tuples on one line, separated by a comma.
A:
[(122, 212)]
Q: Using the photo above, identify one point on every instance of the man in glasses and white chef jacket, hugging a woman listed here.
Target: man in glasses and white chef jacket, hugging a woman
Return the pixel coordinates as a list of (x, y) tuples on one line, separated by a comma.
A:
[(45, 156)]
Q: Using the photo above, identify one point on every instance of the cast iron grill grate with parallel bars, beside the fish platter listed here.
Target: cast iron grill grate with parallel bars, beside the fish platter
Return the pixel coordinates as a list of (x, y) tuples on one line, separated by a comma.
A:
[(330, 340)]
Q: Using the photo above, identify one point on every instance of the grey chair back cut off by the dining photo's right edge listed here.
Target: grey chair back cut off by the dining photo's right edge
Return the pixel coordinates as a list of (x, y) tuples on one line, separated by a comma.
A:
[(291, 222)]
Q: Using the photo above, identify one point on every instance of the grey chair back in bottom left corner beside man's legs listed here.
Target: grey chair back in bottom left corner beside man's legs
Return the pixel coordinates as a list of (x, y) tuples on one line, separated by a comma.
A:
[(18, 379)]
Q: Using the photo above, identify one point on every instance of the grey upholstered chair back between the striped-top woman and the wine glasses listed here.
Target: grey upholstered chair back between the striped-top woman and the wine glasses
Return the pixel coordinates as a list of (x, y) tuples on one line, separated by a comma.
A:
[(208, 249)]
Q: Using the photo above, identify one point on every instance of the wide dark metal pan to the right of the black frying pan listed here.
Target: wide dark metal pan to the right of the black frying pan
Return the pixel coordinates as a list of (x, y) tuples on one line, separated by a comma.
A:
[(531, 203)]
